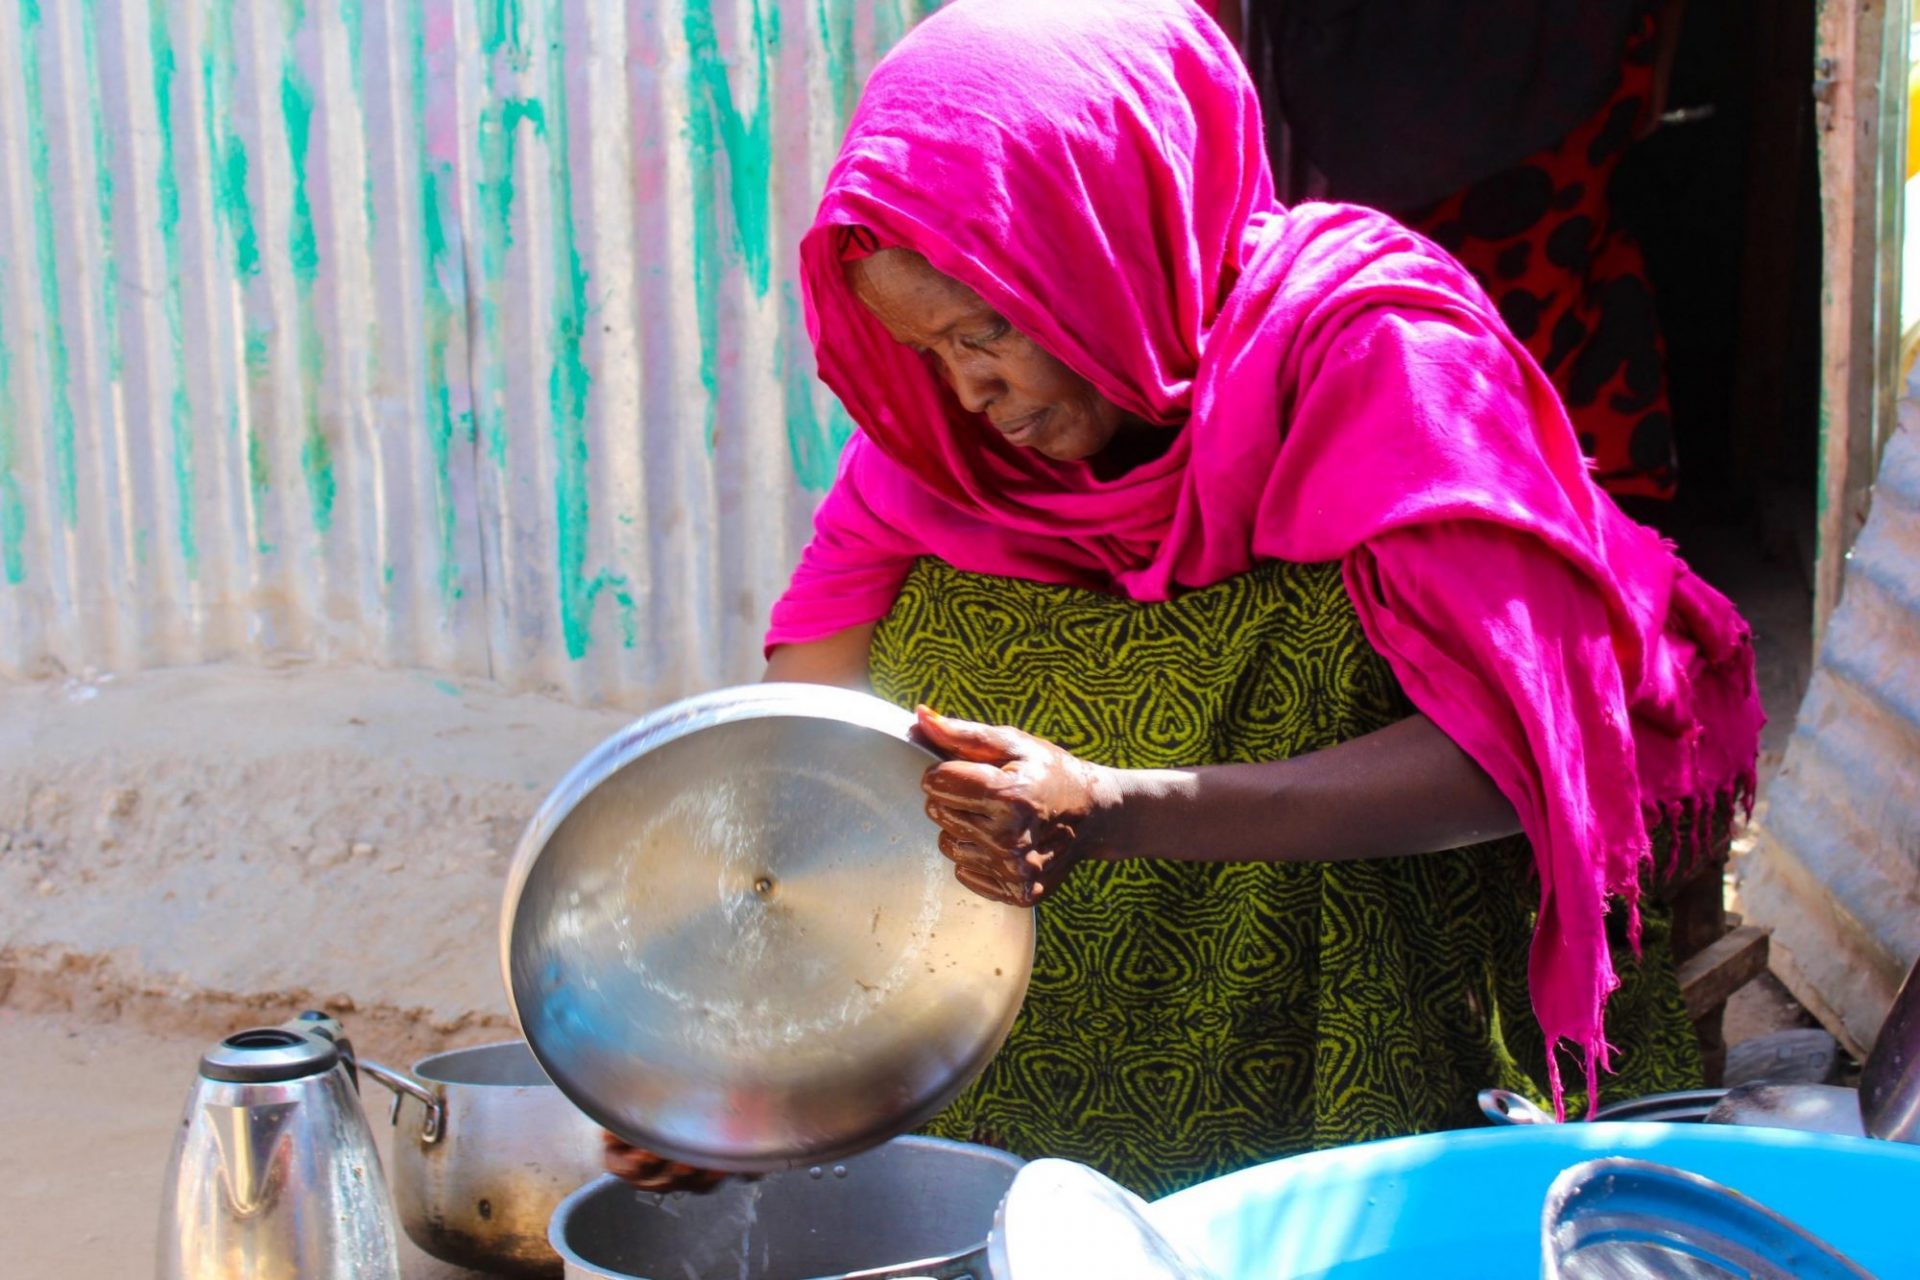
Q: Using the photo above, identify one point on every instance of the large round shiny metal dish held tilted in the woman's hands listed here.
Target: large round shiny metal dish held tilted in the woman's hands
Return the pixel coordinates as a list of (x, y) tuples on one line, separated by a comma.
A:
[(731, 937)]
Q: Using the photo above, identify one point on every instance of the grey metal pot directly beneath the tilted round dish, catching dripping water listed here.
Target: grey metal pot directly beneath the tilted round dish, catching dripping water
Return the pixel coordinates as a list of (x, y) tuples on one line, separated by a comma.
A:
[(909, 1208)]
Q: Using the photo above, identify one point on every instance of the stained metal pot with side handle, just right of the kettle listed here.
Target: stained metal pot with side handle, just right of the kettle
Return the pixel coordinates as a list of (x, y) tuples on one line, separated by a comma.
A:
[(483, 1154)]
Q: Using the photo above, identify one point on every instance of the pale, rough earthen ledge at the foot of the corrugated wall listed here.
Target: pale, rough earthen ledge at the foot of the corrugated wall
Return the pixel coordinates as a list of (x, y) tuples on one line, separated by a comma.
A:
[(210, 845)]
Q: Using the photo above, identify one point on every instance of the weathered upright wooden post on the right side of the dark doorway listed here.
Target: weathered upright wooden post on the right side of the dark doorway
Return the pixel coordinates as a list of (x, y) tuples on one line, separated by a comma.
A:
[(1860, 112)]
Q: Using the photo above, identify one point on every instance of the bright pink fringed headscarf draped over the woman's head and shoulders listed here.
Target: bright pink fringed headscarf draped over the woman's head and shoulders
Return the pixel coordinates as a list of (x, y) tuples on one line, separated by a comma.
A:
[(1343, 391)]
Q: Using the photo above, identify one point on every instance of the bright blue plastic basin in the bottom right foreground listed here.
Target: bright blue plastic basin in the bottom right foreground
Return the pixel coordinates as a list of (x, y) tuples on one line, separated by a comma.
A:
[(1468, 1204)]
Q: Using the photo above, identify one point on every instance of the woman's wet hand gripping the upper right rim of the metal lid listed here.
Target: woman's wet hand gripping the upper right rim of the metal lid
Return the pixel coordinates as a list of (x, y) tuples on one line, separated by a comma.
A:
[(1017, 815)]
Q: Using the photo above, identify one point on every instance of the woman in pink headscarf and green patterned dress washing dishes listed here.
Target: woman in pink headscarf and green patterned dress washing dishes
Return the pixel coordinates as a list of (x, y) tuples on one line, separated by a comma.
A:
[(1295, 665)]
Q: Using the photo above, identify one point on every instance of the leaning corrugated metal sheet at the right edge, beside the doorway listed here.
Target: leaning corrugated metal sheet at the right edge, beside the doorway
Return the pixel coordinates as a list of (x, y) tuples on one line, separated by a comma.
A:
[(1836, 868)]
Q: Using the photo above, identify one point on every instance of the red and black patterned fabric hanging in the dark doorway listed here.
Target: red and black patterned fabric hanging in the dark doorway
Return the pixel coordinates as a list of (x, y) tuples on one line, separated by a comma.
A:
[(1573, 285)]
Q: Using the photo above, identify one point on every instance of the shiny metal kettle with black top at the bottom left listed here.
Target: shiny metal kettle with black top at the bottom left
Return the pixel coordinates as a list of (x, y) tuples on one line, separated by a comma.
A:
[(274, 1172)]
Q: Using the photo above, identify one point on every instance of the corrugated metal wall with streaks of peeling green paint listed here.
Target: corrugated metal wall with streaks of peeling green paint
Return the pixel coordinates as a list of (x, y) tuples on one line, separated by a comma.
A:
[(425, 333)]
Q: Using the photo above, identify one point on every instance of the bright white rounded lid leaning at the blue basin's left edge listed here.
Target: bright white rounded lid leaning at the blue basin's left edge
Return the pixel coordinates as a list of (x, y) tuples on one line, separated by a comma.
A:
[(1065, 1220)]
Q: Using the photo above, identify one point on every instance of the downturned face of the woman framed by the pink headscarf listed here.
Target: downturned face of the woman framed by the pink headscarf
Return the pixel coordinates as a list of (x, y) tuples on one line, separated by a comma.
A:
[(1026, 394)]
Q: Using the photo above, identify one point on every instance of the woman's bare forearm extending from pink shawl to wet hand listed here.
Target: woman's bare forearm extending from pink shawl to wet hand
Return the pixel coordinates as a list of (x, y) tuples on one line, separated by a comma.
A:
[(1404, 790)]
